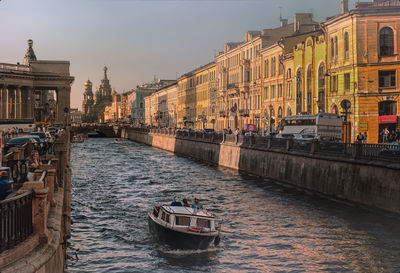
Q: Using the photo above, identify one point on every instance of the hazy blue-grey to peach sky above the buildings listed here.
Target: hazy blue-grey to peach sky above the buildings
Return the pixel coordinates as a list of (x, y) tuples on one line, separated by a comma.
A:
[(137, 39)]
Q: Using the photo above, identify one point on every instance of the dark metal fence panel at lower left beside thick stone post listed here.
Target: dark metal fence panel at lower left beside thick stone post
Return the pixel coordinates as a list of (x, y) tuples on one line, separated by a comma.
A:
[(15, 220)]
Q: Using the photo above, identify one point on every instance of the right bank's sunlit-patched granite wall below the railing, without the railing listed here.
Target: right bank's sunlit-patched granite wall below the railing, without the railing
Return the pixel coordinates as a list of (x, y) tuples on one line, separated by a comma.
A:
[(371, 183)]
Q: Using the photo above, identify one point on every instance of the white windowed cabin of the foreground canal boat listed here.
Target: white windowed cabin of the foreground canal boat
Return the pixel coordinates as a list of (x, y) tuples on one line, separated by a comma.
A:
[(185, 218)]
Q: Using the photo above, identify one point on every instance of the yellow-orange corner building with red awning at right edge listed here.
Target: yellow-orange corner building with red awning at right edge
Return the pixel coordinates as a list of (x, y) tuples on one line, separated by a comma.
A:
[(363, 57)]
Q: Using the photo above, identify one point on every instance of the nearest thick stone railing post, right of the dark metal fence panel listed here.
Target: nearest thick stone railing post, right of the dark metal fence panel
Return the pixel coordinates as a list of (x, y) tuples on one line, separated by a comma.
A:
[(39, 211)]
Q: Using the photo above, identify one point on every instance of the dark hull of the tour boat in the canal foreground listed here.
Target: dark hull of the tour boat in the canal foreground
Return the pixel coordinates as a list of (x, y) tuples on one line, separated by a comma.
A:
[(181, 240)]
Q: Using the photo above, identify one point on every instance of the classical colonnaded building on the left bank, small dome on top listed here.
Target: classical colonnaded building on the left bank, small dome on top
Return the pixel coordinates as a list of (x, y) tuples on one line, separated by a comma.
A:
[(37, 89)]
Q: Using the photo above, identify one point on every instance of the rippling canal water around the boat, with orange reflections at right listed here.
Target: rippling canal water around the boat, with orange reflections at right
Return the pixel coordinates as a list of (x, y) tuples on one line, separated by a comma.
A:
[(266, 227)]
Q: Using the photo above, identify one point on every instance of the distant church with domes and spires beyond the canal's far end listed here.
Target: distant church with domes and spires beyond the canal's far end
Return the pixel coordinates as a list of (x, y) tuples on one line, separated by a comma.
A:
[(93, 105)]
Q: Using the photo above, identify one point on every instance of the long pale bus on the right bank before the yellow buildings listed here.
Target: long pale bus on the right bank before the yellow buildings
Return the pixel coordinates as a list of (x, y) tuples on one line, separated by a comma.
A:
[(319, 125)]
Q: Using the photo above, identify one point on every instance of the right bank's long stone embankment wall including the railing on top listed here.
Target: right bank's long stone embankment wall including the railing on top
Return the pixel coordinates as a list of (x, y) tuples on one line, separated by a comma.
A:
[(350, 172)]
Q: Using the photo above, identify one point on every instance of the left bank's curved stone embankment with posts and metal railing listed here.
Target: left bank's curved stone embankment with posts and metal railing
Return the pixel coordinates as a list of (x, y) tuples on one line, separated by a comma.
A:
[(36, 223)]
